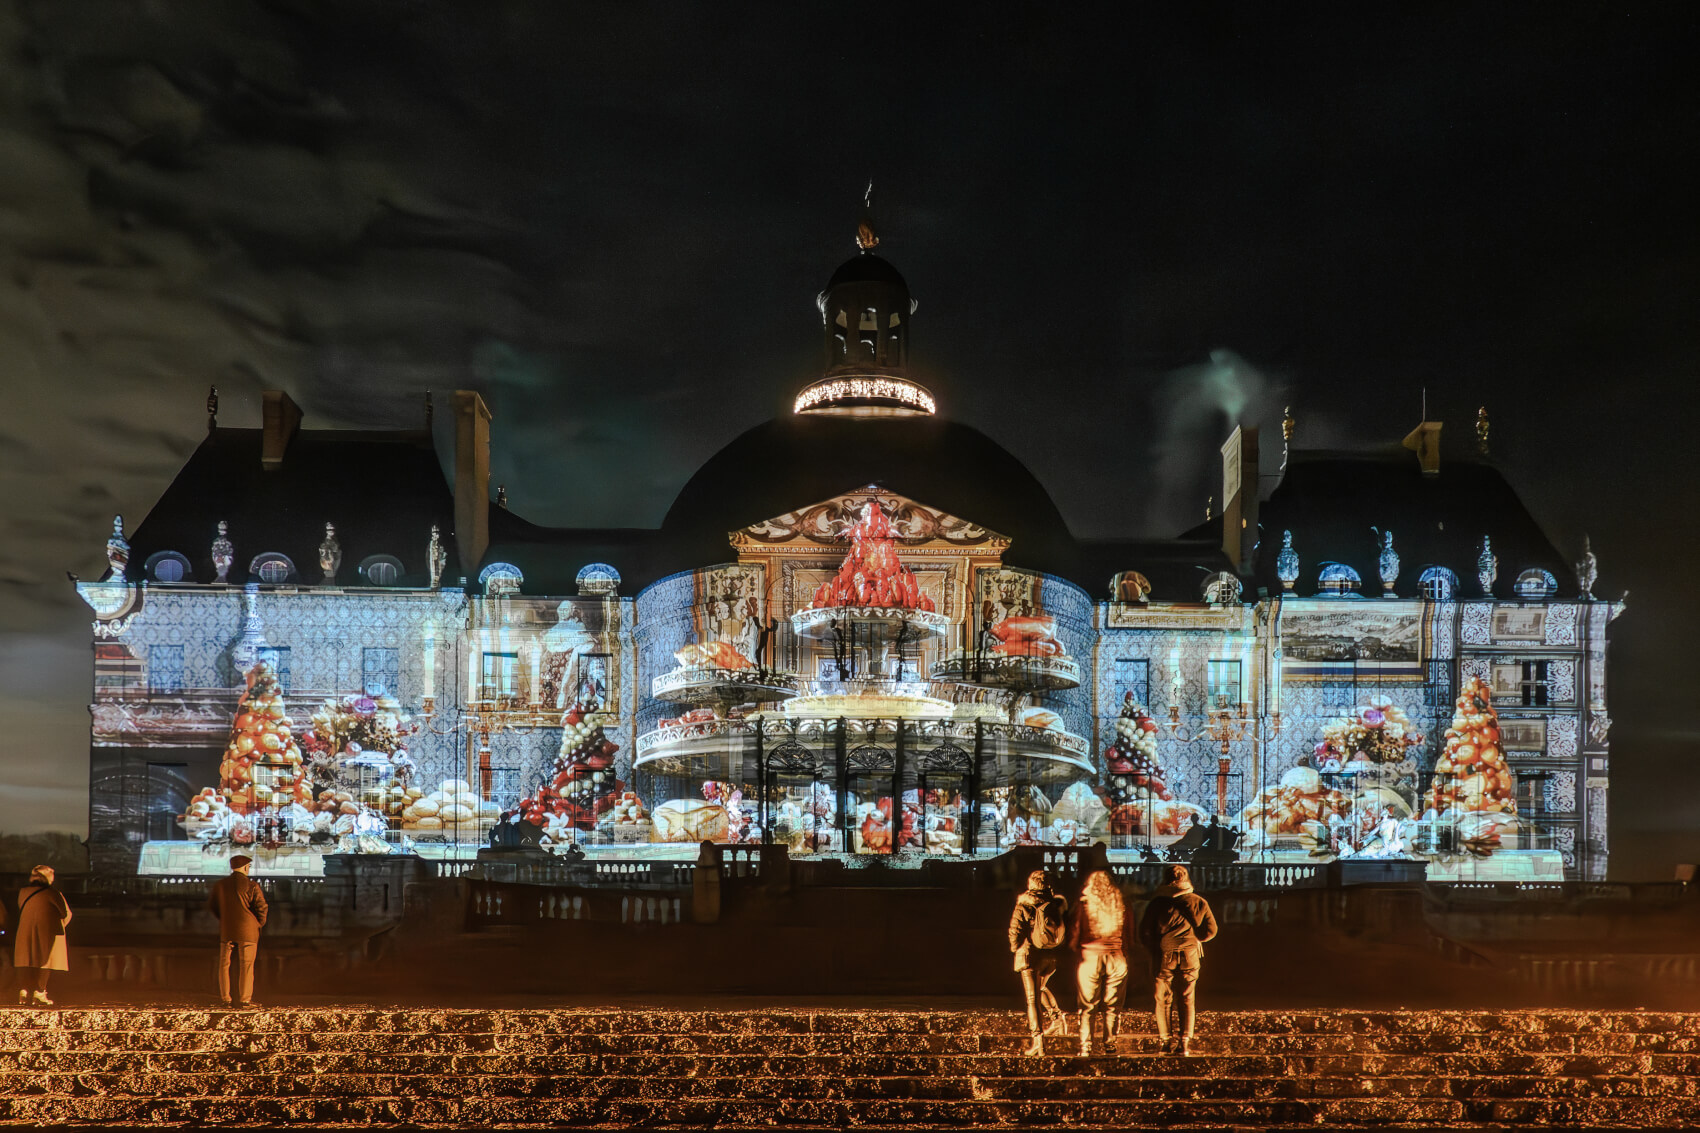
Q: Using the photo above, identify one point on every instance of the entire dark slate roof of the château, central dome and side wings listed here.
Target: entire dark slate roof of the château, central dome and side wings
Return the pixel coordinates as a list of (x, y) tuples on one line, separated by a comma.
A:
[(387, 489)]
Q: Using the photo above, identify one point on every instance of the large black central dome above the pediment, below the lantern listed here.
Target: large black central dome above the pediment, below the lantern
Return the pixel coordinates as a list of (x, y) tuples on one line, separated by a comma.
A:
[(795, 462)]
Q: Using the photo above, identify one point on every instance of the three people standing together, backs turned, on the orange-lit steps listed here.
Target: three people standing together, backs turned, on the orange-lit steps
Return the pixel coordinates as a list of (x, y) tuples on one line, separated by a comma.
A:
[(1045, 930)]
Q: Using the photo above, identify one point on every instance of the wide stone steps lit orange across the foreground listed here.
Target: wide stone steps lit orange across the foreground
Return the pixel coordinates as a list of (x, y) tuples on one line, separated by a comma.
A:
[(837, 1069)]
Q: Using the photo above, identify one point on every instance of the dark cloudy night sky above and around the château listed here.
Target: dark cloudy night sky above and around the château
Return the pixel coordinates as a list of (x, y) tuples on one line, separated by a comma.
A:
[(615, 220)]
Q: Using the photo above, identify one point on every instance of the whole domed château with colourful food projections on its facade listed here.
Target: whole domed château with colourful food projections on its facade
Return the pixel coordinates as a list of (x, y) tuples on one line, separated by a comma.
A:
[(320, 642)]
